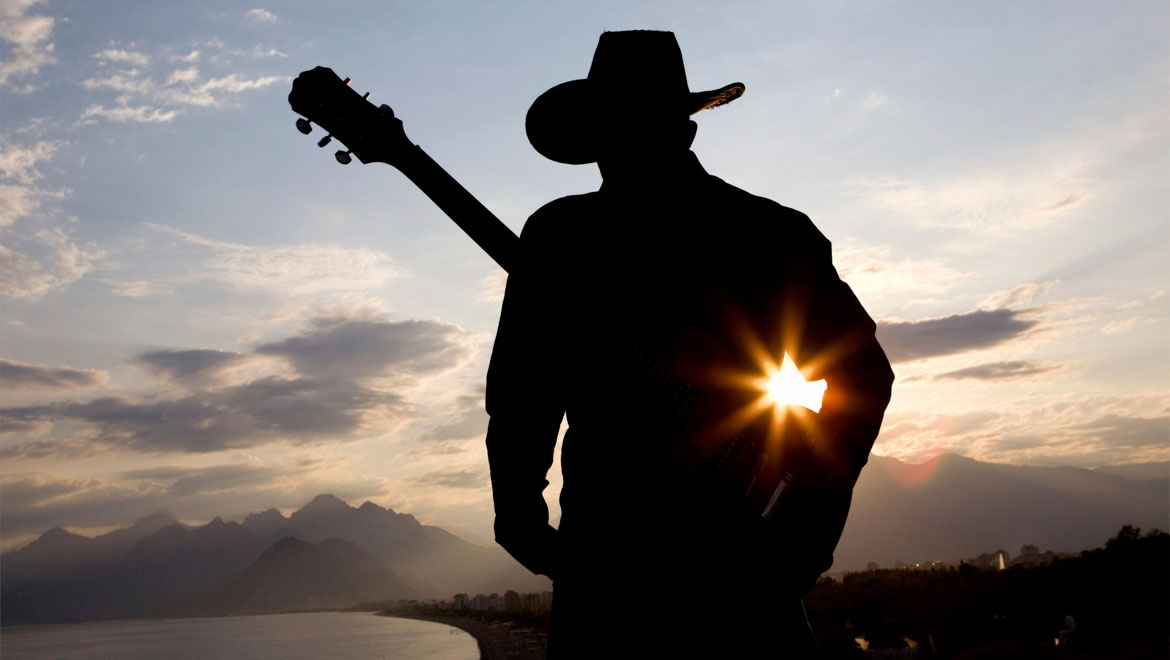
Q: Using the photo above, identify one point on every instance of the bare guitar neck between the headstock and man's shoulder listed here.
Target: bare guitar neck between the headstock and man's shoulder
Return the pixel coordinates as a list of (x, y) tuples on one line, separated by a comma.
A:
[(462, 207)]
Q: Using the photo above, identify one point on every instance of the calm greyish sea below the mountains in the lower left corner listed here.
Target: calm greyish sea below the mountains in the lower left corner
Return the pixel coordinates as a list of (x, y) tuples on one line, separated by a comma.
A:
[(315, 636)]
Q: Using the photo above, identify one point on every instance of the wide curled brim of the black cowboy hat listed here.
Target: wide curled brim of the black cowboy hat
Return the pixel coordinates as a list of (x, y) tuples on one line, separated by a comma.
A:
[(561, 125)]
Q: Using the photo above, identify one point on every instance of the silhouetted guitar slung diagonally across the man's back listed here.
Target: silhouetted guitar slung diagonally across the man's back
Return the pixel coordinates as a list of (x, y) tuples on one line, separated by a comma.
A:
[(739, 466)]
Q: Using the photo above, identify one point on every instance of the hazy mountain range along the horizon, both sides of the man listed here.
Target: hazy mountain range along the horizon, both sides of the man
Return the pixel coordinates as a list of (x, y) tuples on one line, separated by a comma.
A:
[(329, 554)]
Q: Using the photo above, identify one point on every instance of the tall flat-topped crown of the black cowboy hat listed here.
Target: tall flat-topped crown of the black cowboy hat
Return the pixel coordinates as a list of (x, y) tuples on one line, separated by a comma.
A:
[(649, 61)]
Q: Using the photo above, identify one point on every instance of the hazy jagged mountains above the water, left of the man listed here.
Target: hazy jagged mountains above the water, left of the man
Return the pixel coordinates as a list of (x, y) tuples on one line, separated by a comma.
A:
[(325, 555)]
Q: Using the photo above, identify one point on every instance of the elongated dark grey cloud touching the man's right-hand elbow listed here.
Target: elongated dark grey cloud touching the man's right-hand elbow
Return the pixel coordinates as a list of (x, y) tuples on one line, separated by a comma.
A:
[(932, 338)]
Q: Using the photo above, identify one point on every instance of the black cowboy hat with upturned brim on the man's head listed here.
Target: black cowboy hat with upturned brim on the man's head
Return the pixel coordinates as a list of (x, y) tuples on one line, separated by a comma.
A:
[(639, 71)]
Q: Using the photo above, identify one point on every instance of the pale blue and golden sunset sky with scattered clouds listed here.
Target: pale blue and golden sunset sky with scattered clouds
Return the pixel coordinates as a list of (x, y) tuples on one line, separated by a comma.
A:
[(205, 313)]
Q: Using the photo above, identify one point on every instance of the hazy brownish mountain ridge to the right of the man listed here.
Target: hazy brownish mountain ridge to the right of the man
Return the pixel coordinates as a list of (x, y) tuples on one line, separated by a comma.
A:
[(953, 507)]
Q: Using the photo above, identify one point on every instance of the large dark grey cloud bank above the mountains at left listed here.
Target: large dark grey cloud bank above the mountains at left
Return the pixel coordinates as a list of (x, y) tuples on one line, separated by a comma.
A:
[(324, 404)]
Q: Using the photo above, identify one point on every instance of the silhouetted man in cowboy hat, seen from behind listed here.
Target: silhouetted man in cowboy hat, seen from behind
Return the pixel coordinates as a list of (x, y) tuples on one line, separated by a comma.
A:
[(705, 279)]
